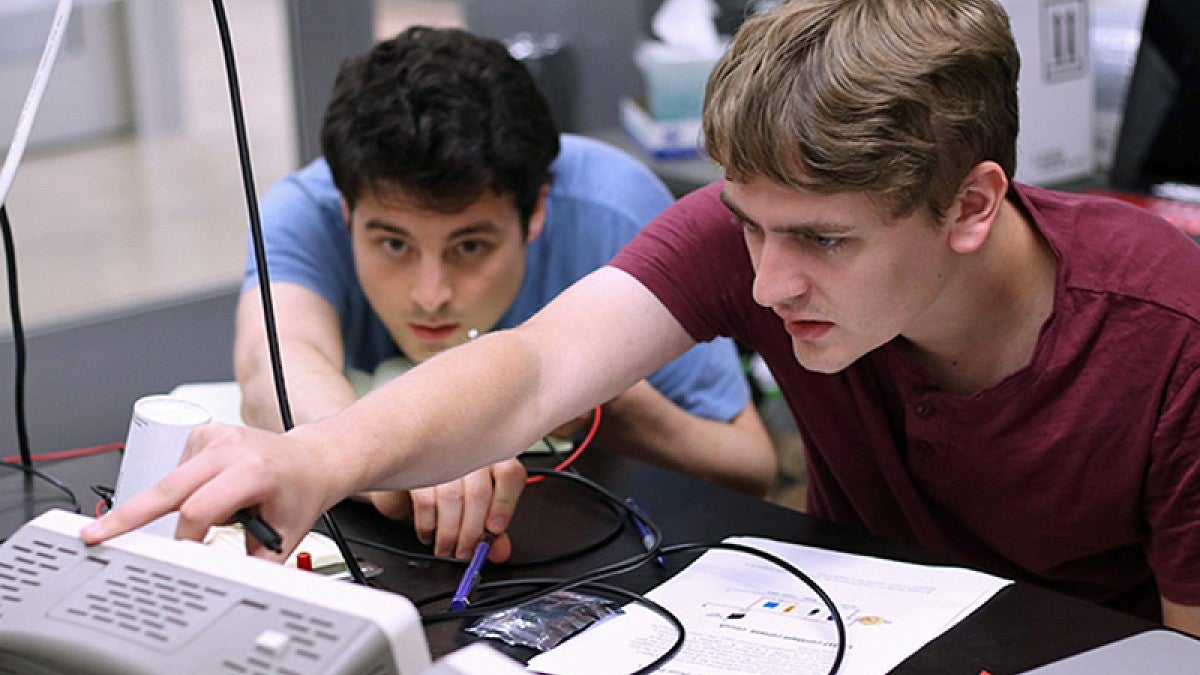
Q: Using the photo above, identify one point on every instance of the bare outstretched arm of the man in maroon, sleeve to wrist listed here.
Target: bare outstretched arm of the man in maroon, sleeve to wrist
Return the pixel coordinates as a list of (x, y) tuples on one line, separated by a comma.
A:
[(493, 398)]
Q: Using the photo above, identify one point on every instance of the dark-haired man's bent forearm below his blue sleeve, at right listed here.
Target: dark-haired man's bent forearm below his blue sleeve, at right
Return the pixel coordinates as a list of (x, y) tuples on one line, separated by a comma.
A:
[(647, 426)]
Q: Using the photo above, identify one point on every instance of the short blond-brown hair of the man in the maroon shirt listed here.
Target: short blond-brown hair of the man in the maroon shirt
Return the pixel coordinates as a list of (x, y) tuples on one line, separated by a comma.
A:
[(899, 99)]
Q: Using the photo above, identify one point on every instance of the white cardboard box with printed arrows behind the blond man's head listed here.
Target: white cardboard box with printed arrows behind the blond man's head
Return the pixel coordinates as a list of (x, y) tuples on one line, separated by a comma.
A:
[(1055, 91)]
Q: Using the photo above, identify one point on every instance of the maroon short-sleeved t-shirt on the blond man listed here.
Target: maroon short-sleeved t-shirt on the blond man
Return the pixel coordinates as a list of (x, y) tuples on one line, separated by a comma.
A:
[(1081, 471)]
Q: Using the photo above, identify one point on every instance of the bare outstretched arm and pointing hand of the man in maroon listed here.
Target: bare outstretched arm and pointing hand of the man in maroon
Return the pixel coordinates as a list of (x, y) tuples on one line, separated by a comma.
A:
[(465, 409)]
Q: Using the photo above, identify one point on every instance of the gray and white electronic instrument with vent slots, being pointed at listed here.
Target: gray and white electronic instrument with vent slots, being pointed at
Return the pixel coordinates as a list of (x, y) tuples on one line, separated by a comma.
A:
[(143, 605)]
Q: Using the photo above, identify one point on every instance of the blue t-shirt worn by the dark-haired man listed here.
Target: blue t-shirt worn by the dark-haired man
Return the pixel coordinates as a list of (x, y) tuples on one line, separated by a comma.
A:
[(598, 201)]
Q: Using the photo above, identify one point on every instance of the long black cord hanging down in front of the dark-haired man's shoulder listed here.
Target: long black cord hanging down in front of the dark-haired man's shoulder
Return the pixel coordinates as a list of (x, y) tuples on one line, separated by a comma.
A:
[(256, 229)]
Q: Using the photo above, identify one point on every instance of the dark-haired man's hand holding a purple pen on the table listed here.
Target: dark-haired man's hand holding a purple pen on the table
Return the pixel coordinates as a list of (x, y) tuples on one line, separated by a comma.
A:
[(452, 517)]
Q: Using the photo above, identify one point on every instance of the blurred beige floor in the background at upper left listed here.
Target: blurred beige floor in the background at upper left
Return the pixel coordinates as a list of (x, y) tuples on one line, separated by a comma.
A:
[(122, 222)]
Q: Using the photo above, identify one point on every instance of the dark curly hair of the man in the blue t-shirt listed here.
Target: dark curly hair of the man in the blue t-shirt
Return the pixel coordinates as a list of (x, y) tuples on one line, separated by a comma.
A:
[(440, 116)]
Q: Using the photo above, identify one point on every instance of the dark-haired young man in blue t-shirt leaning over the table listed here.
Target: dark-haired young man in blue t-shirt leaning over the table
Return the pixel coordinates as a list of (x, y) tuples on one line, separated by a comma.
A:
[(447, 206)]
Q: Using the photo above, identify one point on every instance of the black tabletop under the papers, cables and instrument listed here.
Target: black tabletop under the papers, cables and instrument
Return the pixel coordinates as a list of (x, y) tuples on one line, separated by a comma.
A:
[(1022, 628)]
